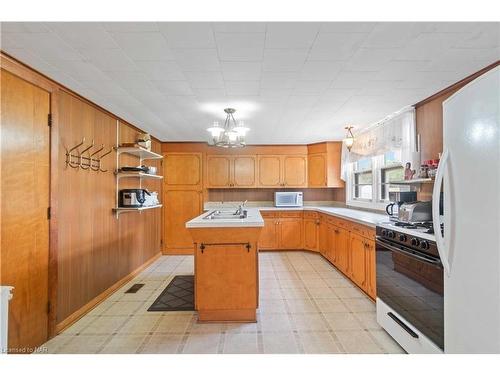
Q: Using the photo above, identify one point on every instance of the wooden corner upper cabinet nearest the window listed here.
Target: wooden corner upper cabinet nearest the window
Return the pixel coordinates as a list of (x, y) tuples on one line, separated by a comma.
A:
[(324, 164)]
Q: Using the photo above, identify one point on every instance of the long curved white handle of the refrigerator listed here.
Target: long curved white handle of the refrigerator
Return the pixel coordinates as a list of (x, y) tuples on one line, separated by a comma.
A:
[(440, 240)]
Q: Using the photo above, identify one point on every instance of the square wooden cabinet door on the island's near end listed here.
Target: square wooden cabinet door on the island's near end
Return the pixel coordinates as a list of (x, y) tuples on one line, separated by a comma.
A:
[(225, 277)]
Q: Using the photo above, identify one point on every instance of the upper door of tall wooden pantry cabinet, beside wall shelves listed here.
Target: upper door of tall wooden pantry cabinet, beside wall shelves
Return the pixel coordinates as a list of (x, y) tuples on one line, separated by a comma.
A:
[(183, 170)]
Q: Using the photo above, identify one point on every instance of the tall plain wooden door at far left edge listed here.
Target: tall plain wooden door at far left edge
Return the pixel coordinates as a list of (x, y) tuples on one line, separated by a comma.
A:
[(25, 156)]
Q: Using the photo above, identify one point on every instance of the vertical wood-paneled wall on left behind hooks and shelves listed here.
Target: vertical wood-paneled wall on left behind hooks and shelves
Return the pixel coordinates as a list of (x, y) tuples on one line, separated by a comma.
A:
[(96, 250)]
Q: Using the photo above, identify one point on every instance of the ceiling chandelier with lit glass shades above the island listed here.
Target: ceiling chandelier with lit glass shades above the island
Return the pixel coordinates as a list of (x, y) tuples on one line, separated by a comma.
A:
[(231, 134)]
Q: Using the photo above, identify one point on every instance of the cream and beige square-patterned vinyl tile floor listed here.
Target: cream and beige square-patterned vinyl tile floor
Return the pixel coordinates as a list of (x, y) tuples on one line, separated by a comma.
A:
[(305, 306)]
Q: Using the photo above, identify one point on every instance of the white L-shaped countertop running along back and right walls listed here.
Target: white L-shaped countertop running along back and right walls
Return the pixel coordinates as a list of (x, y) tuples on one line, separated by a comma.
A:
[(367, 218)]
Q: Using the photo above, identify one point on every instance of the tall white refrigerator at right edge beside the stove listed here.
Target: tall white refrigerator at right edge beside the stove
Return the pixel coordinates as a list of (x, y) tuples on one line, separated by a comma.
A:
[(469, 172)]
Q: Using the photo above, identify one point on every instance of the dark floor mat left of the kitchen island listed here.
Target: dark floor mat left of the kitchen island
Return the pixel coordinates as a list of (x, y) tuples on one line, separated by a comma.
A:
[(177, 296)]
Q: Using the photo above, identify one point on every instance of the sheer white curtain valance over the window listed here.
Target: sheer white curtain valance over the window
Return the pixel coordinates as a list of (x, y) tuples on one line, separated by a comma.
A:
[(395, 133)]
